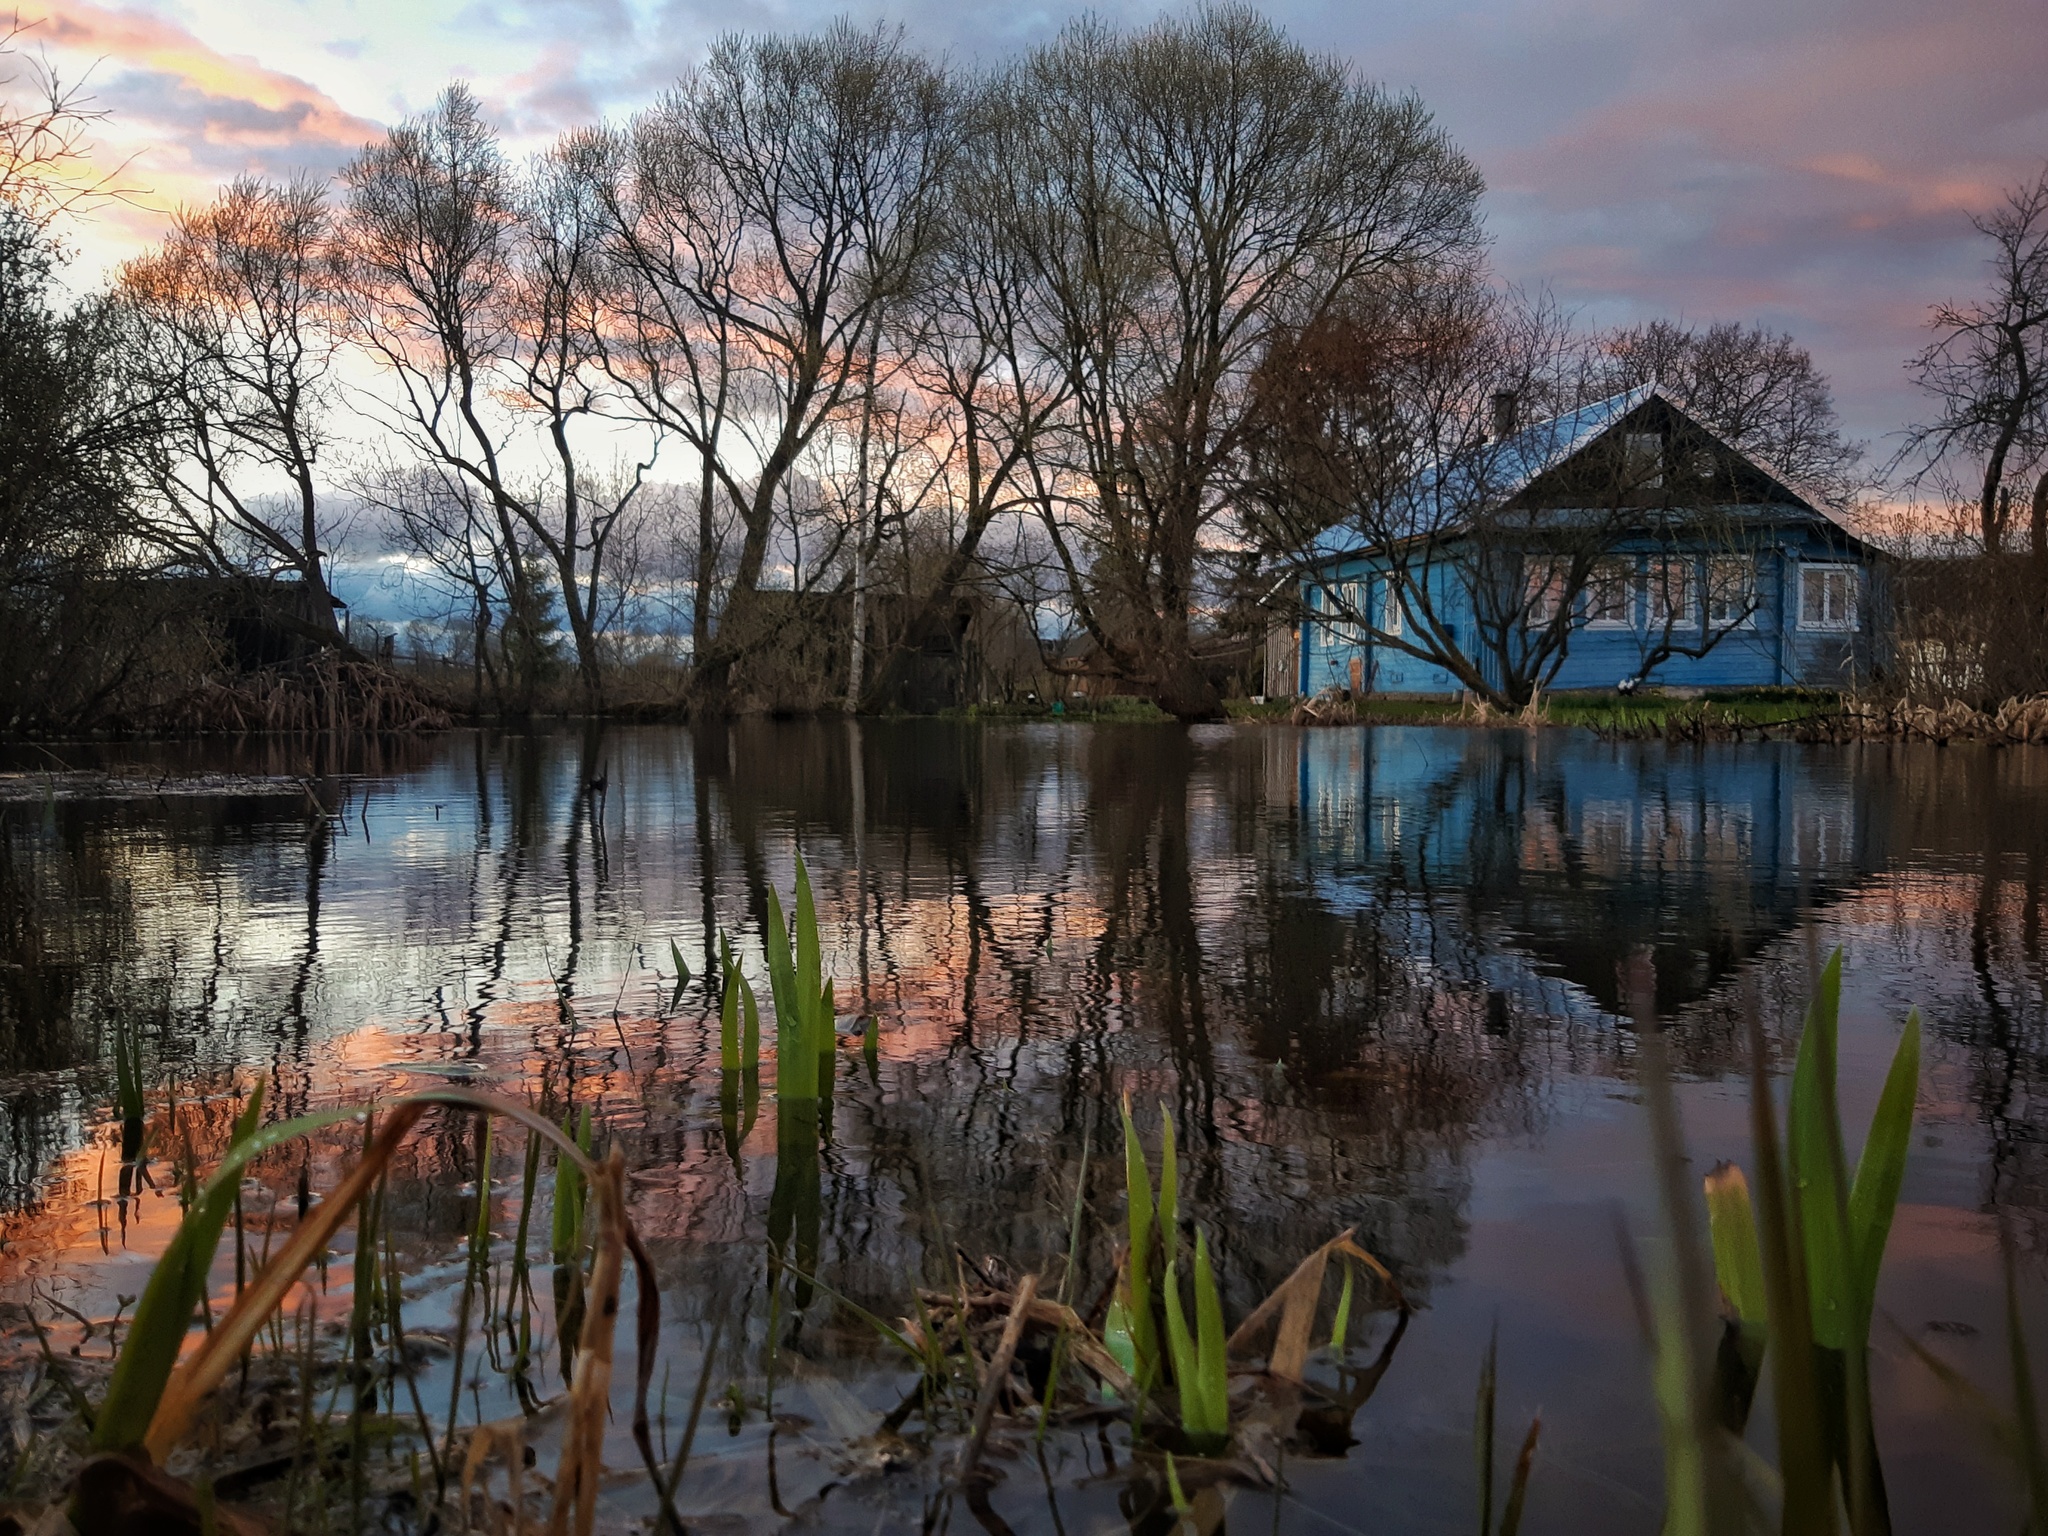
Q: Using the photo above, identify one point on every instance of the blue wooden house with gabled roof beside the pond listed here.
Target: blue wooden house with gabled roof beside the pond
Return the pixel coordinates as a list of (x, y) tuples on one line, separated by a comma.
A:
[(1705, 568)]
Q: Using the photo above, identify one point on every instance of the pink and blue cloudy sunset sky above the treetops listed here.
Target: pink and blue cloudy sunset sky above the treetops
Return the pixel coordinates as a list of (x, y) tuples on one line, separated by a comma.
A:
[(1809, 165)]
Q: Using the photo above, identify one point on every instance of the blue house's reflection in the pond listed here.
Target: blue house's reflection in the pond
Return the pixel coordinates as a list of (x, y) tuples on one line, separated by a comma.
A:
[(1572, 853)]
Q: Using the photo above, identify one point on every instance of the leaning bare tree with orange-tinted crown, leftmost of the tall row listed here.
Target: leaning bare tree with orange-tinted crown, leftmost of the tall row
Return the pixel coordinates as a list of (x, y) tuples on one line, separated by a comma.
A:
[(237, 349)]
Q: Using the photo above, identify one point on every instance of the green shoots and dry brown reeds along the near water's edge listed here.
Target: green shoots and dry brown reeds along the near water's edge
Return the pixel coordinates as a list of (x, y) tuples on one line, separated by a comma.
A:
[(302, 1406)]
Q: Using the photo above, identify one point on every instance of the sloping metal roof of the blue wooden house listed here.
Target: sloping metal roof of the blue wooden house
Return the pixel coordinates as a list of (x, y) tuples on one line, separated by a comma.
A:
[(1508, 468)]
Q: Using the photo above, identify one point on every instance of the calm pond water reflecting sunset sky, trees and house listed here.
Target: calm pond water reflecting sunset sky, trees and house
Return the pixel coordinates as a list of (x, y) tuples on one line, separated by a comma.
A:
[(1375, 978)]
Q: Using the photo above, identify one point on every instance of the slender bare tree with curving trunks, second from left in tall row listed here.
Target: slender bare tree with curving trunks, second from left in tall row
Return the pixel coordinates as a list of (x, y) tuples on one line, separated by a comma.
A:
[(478, 296)]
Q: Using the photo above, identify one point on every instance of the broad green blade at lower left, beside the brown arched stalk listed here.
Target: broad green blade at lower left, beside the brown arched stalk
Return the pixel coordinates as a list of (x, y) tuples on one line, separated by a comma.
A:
[(177, 1285)]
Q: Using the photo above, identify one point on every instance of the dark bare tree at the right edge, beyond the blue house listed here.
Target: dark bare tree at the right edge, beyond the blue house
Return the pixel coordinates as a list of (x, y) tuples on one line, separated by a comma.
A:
[(1988, 374)]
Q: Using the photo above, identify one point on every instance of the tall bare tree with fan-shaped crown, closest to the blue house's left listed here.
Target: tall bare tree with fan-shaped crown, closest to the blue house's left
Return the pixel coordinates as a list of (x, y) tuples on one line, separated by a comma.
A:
[(1181, 196)]
